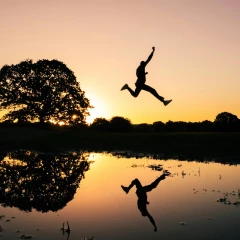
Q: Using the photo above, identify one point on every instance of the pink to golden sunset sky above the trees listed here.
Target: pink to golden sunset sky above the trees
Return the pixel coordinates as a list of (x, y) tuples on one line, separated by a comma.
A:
[(196, 62)]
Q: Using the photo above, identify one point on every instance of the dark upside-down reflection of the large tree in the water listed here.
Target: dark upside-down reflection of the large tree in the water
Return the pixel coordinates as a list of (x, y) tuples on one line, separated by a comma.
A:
[(45, 182)]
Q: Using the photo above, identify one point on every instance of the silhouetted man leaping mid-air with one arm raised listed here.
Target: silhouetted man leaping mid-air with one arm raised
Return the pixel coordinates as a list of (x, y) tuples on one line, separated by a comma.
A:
[(141, 79)]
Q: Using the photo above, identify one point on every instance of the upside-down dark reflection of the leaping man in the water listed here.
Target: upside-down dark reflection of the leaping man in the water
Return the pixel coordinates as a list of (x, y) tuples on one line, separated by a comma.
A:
[(142, 195)]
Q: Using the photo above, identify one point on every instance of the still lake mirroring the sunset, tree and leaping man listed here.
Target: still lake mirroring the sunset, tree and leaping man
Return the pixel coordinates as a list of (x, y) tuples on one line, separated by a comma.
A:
[(40, 192)]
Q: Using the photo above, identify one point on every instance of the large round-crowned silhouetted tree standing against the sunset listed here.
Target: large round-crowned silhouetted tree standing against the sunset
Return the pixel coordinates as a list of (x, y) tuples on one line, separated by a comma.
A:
[(42, 91)]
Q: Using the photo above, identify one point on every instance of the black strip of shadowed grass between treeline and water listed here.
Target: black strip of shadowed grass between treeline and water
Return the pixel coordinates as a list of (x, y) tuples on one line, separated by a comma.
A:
[(223, 147)]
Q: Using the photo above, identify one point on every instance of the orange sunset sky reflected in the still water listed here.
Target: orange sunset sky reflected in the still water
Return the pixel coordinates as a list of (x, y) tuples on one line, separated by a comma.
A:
[(100, 208)]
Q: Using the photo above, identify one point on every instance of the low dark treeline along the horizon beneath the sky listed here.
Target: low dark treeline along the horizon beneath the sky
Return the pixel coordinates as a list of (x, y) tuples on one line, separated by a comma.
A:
[(224, 122)]
